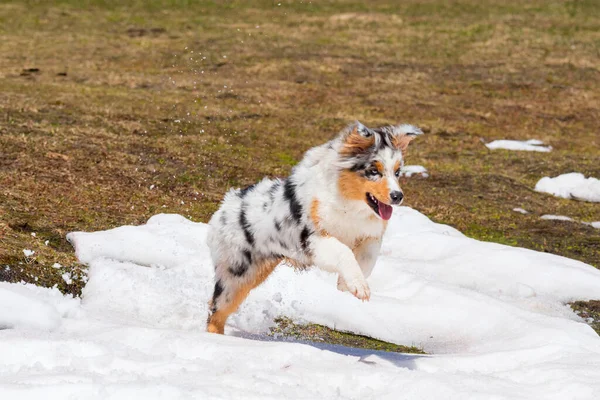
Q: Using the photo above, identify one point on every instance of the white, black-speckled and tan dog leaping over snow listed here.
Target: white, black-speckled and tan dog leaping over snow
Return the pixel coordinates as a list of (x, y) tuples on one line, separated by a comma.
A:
[(331, 212)]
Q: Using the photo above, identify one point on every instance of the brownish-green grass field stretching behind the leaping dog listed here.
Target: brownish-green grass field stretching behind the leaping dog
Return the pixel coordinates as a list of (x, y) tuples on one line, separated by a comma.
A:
[(110, 113)]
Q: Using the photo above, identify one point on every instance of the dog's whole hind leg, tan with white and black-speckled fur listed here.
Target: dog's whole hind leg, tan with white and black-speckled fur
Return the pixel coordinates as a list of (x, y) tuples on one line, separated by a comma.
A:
[(232, 288)]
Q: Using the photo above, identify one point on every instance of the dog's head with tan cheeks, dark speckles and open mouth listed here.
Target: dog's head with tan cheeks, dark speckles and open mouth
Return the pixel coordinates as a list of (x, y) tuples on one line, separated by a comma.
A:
[(370, 162)]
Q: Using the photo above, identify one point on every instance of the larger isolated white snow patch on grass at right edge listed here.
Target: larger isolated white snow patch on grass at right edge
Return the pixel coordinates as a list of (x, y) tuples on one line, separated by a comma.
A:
[(571, 186)]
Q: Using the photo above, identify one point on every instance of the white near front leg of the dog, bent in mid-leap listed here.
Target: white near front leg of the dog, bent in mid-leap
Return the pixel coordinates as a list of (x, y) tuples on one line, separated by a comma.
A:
[(331, 255)]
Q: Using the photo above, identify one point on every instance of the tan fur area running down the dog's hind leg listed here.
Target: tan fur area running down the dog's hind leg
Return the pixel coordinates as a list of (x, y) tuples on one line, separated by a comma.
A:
[(216, 322)]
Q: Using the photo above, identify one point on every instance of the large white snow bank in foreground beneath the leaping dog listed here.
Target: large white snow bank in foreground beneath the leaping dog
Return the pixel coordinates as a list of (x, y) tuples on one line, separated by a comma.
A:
[(492, 315)]
